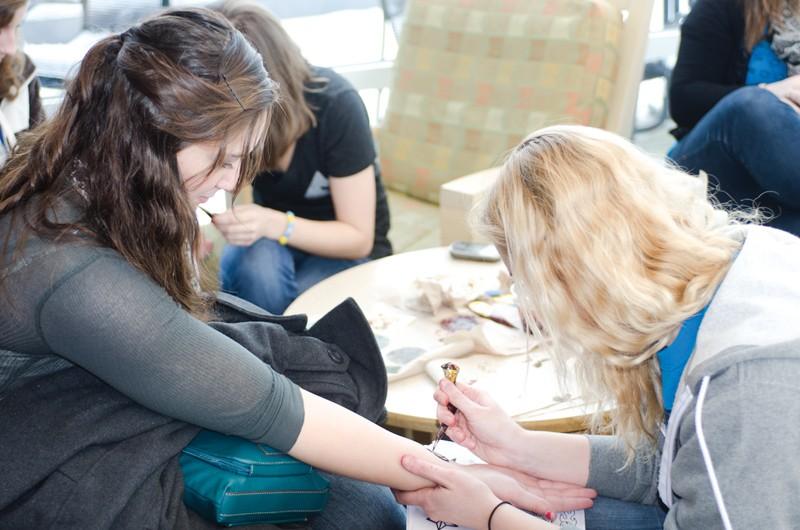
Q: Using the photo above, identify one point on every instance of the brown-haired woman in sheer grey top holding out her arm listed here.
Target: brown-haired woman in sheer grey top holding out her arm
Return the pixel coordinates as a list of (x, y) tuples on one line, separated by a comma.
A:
[(104, 328)]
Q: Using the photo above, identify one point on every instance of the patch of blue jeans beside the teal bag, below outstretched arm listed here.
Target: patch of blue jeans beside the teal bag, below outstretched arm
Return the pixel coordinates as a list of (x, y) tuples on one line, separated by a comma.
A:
[(356, 505)]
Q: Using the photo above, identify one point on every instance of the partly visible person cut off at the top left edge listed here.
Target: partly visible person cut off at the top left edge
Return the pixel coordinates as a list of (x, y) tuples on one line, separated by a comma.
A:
[(20, 105)]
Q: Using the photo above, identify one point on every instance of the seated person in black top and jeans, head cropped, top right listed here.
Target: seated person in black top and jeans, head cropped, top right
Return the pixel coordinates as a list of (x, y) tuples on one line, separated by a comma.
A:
[(735, 96)]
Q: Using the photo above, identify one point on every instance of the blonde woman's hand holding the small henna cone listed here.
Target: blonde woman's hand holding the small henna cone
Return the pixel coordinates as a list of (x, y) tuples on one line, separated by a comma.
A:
[(480, 425)]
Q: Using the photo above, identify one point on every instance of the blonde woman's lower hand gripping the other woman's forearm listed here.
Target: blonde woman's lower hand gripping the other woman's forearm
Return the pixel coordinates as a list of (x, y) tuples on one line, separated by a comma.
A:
[(458, 497)]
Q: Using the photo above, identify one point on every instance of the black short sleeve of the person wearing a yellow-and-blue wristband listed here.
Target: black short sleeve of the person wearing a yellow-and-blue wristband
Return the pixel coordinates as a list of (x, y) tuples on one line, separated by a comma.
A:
[(346, 136)]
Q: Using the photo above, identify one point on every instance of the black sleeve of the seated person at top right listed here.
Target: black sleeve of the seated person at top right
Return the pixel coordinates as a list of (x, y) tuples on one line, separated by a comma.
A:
[(710, 39)]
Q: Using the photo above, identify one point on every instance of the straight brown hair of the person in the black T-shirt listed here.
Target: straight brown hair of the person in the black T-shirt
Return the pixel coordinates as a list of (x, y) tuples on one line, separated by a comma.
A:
[(285, 63)]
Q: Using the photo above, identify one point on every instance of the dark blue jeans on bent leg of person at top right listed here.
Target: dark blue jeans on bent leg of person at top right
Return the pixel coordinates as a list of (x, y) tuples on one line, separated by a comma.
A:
[(747, 143)]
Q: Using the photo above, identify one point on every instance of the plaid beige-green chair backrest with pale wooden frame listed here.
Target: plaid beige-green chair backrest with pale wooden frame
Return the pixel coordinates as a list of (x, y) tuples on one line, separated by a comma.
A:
[(472, 78)]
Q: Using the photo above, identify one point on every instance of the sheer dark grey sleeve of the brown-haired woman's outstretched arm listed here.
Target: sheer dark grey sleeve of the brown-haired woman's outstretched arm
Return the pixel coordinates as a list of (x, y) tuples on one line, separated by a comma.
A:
[(116, 323)]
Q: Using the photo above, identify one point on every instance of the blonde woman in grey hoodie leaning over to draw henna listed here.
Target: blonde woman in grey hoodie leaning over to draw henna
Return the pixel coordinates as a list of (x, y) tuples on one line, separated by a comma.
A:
[(678, 316)]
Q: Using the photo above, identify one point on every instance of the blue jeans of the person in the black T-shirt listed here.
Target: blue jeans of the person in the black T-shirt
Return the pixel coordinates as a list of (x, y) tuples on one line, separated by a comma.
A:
[(271, 275)]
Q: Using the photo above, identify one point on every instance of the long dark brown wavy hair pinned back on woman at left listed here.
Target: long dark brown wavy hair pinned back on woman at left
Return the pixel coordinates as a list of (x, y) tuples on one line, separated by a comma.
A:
[(179, 78)]
